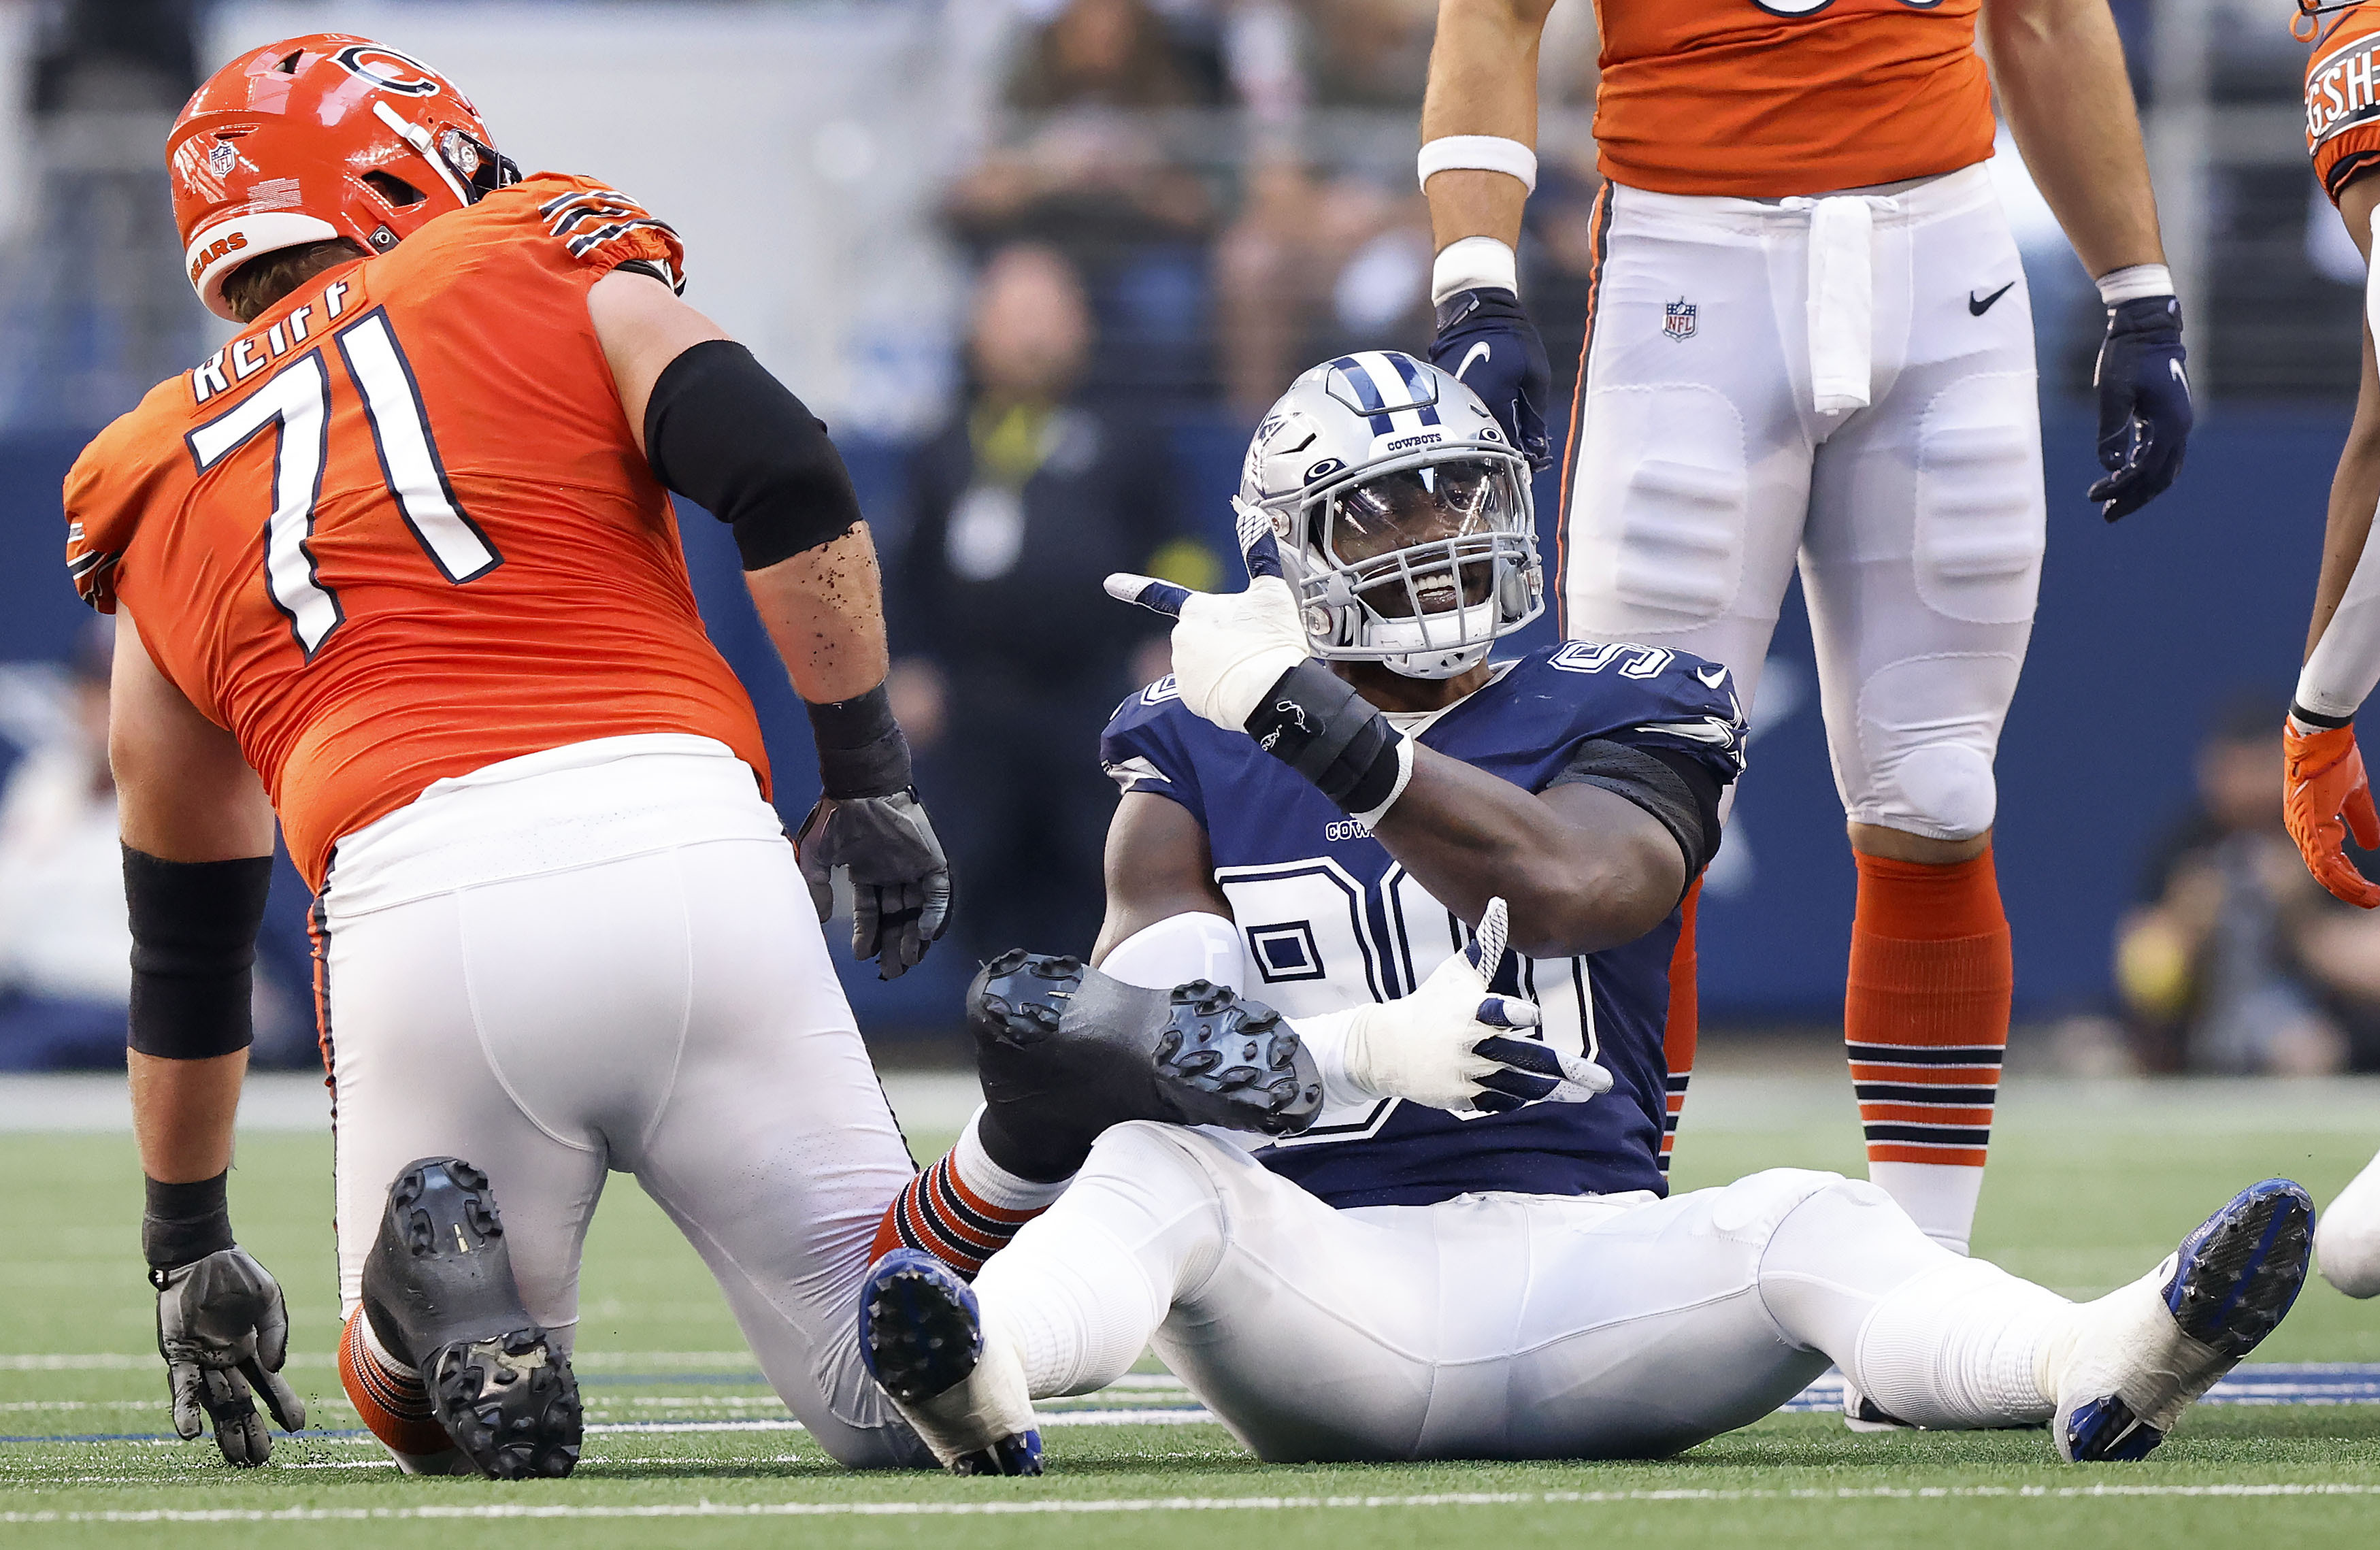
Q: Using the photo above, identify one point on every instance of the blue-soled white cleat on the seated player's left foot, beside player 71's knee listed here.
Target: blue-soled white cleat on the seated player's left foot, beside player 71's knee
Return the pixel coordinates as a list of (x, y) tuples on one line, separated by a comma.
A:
[(922, 1342)]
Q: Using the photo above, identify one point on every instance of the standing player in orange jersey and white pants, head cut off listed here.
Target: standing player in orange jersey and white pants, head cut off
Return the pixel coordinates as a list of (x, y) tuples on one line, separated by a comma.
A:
[(1810, 342)]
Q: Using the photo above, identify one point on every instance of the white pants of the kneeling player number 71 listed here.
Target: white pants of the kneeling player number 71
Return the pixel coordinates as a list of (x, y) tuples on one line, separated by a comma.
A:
[(606, 958)]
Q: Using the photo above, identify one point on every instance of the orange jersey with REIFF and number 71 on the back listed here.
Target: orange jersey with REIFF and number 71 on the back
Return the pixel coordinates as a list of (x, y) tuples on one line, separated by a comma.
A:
[(401, 530)]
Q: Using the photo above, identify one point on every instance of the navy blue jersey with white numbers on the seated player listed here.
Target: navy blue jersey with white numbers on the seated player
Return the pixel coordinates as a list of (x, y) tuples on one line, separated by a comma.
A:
[(1332, 920)]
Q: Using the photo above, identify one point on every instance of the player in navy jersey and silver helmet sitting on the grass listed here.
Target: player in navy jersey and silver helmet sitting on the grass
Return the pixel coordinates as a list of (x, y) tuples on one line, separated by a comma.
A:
[(1317, 806)]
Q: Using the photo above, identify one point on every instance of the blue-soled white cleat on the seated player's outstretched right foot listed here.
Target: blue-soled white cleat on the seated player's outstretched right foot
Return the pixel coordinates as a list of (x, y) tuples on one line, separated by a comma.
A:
[(2155, 1346)]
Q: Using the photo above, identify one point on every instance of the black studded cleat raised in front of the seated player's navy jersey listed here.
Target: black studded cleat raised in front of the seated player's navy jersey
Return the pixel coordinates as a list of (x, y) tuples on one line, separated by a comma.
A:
[(1067, 1051)]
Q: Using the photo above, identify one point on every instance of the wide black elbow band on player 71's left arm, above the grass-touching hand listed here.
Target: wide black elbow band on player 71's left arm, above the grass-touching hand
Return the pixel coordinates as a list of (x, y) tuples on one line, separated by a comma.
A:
[(194, 946)]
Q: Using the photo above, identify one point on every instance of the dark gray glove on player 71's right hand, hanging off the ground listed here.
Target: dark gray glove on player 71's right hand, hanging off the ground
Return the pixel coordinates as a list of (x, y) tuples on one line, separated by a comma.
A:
[(901, 877)]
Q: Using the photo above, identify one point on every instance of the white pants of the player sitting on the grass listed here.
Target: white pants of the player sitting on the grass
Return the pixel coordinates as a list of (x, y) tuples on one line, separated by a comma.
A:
[(1503, 1325)]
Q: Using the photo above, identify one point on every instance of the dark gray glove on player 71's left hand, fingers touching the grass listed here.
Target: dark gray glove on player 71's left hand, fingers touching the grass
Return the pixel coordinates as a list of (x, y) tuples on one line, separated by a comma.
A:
[(223, 1327)]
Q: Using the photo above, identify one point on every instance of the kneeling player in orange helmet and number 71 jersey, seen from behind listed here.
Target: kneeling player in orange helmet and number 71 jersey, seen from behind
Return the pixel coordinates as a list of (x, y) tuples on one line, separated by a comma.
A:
[(401, 570)]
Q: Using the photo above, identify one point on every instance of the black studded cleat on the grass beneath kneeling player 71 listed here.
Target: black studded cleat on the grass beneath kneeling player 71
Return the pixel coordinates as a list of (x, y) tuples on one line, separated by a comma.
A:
[(441, 1299)]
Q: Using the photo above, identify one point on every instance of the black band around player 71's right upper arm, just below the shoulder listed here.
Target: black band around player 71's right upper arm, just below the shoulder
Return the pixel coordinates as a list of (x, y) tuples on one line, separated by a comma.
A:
[(734, 442)]
